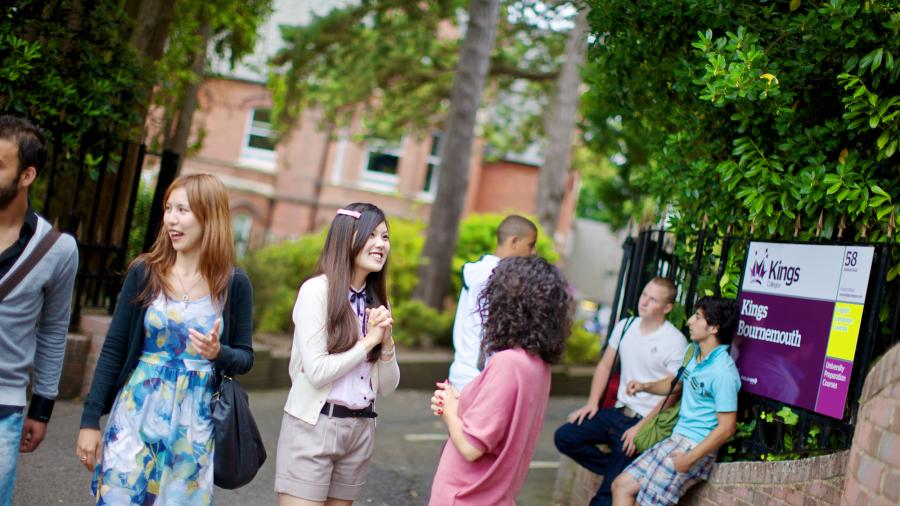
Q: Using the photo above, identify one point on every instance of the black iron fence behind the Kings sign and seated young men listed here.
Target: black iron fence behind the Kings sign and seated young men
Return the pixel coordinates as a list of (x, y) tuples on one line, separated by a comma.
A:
[(709, 262)]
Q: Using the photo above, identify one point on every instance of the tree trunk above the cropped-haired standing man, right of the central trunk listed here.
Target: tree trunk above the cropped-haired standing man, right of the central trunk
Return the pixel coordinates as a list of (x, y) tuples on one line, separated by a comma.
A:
[(559, 125)]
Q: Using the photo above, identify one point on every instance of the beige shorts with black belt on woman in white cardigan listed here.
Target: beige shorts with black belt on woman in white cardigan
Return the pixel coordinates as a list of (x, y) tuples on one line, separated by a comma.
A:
[(328, 459)]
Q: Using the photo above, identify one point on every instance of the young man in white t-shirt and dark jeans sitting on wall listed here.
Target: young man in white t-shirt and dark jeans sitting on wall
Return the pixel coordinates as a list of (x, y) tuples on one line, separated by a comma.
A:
[(650, 348)]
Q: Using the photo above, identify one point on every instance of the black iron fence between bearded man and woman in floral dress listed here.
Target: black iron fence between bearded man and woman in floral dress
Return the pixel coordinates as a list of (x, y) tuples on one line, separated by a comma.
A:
[(91, 194)]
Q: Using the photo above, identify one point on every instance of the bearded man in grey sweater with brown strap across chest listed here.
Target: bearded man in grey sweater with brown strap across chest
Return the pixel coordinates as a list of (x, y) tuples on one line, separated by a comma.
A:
[(34, 313)]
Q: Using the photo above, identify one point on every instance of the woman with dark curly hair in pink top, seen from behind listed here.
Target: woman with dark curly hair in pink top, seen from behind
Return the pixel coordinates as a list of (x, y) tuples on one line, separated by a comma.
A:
[(494, 423)]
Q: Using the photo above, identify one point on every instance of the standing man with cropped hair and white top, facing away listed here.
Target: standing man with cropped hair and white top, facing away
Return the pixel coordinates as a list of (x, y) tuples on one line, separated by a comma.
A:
[(516, 236)]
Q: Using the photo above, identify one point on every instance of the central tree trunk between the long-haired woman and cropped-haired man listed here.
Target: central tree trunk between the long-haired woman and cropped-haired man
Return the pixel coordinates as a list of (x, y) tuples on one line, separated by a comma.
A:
[(465, 99)]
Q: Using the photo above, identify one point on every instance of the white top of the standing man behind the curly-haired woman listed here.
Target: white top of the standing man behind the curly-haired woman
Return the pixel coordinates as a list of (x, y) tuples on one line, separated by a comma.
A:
[(467, 329)]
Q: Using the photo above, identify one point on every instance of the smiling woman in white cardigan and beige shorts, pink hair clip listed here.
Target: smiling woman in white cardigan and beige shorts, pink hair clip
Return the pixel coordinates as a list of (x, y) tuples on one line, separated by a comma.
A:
[(342, 358)]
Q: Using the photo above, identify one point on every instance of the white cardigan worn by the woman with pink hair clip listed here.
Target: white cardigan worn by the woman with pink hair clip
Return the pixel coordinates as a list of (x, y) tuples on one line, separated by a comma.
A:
[(312, 368)]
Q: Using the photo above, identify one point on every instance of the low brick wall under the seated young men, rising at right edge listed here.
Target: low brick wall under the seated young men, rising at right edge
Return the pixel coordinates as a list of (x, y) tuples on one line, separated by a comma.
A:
[(868, 473)]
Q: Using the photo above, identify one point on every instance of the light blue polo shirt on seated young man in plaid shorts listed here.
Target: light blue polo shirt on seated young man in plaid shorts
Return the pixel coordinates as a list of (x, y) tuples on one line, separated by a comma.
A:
[(709, 387)]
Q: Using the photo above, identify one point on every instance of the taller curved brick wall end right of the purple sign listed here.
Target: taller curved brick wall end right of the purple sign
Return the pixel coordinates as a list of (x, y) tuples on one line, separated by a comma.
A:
[(873, 472)]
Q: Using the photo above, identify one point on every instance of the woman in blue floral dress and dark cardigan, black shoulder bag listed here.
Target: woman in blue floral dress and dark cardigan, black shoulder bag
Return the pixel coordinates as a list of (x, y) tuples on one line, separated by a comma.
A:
[(183, 313)]
